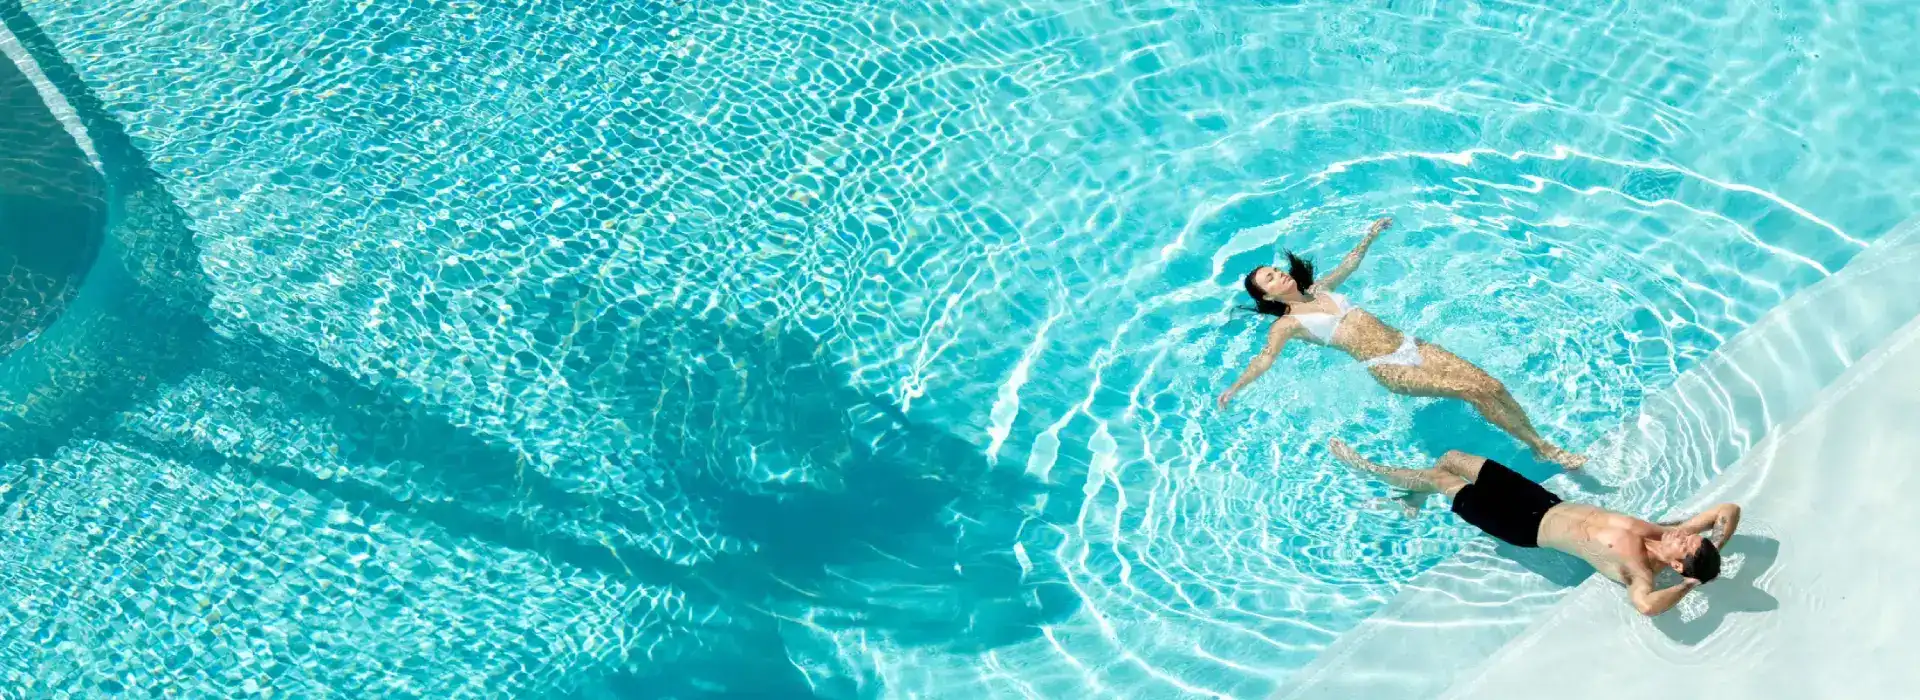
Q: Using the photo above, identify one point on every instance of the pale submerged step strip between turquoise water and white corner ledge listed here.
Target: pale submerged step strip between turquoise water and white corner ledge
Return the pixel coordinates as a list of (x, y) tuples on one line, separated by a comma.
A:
[(1451, 622)]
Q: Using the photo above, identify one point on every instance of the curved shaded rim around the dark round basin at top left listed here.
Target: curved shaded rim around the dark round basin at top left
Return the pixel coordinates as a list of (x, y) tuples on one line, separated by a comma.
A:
[(137, 317)]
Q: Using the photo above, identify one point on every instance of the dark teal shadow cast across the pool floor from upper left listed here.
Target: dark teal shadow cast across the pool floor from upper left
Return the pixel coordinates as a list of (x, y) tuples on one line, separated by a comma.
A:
[(901, 488)]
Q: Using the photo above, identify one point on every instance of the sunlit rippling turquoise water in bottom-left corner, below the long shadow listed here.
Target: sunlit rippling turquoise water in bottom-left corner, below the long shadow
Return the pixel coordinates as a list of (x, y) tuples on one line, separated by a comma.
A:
[(122, 571)]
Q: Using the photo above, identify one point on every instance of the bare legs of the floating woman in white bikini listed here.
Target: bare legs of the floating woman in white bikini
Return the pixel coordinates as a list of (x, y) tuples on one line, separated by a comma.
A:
[(1447, 375)]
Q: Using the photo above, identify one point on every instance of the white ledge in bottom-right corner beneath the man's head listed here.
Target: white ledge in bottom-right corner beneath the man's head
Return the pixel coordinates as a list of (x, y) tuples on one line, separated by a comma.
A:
[(1817, 601)]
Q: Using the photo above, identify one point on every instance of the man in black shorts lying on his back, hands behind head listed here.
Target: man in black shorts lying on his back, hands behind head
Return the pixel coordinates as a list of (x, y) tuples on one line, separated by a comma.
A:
[(1527, 515)]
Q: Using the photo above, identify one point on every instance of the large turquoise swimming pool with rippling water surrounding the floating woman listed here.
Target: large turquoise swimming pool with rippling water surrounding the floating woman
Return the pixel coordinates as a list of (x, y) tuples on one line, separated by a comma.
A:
[(869, 350)]
